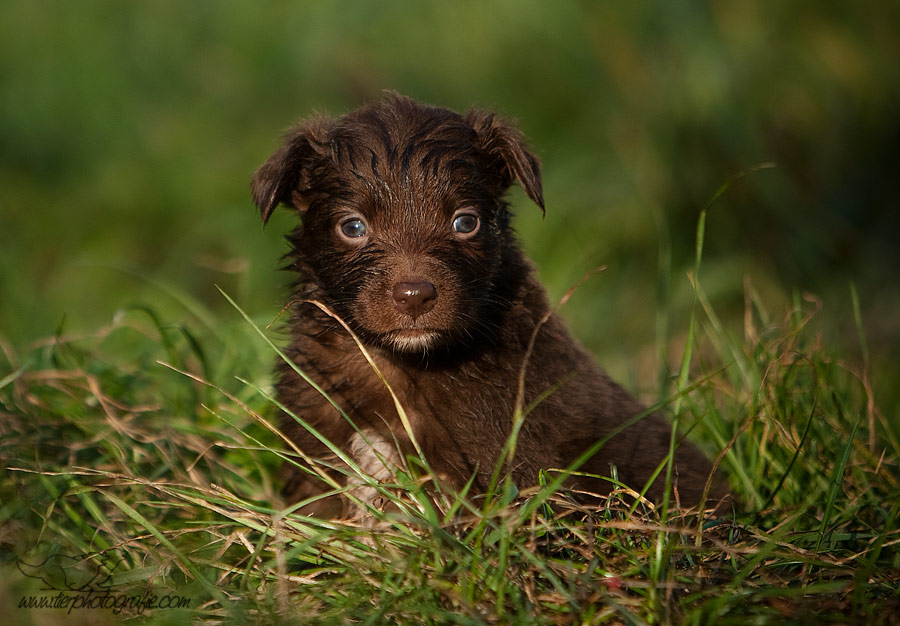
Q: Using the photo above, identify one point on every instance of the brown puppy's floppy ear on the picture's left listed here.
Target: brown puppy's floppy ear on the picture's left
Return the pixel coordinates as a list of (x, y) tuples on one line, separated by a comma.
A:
[(281, 178)]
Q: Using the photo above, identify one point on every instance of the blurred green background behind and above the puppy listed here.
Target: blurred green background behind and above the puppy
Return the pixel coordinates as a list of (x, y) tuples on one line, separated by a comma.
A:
[(129, 133)]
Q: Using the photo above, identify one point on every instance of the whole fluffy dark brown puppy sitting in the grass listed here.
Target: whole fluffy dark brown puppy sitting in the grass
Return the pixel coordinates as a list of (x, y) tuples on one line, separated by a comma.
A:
[(405, 236)]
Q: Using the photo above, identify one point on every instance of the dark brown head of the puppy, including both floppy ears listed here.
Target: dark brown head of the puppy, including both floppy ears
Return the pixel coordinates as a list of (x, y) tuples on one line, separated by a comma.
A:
[(404, 228)]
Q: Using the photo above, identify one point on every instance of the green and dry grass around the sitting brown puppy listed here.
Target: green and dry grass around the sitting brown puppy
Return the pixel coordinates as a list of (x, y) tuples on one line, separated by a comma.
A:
[(145, 453)]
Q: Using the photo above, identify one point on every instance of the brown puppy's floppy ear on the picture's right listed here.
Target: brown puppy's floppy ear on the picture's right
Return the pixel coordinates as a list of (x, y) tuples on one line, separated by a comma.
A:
[(500, 139)]
